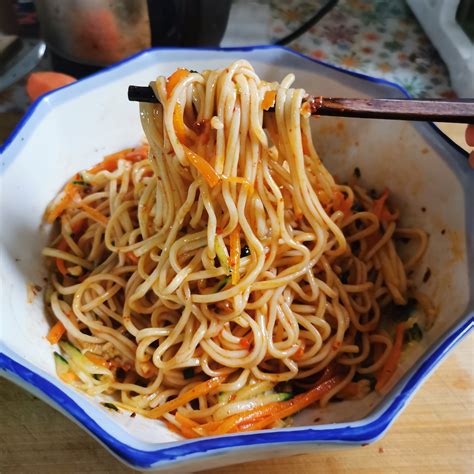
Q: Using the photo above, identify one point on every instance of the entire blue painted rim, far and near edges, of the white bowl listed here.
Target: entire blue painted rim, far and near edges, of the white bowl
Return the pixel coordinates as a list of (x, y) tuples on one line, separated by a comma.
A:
[(361, 434)]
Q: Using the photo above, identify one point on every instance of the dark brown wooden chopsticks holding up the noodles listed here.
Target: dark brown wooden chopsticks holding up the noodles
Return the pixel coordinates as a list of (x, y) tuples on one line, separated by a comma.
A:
[(439, 110)]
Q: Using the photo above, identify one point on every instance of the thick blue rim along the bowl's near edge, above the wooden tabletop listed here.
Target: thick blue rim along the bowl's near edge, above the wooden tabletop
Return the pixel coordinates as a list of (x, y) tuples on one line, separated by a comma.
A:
[(347, 435)]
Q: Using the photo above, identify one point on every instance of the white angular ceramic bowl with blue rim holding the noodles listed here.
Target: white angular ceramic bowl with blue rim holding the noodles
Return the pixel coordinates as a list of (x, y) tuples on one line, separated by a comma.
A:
[(76, 126)]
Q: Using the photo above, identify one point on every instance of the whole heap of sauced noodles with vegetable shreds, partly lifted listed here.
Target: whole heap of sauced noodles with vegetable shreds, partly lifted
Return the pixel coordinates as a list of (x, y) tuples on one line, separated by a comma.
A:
[(220, 279)]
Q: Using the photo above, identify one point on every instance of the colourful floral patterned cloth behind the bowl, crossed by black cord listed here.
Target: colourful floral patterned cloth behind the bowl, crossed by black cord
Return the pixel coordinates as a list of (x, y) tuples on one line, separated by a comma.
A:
[(381, 38)]
